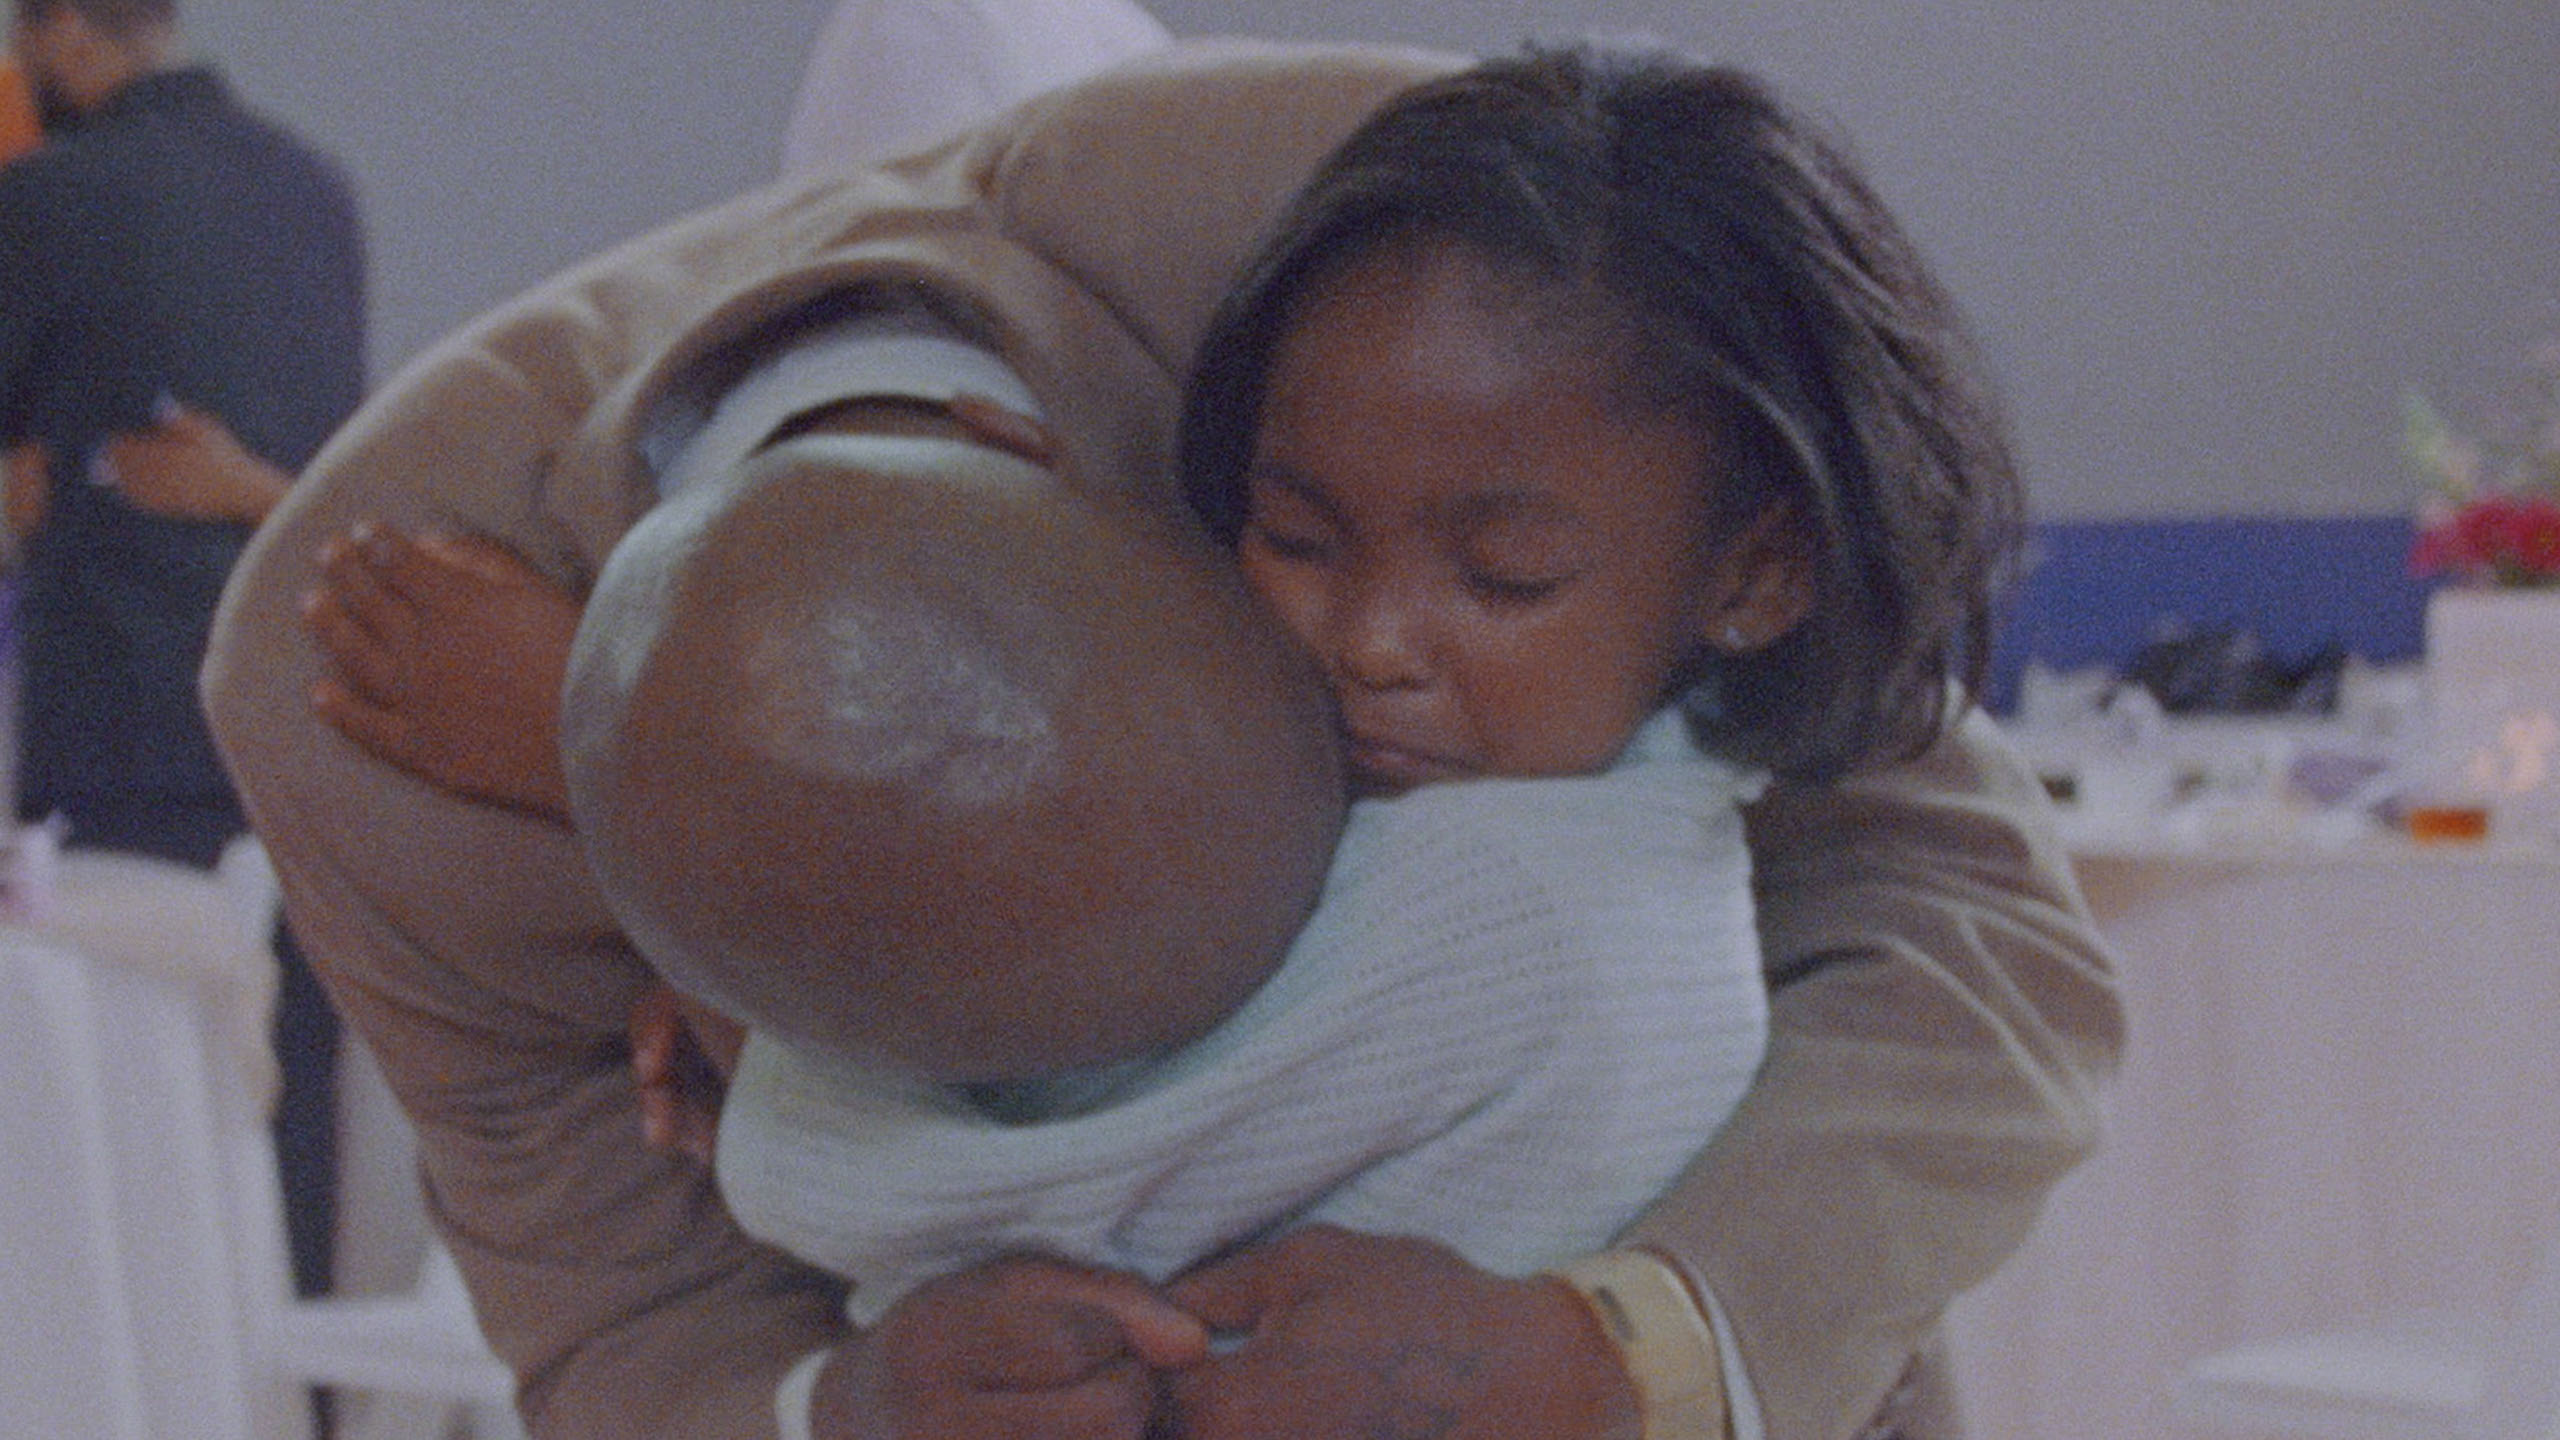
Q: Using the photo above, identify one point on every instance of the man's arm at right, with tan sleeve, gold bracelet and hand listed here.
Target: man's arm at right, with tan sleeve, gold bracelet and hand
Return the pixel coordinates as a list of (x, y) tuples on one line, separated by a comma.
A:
[(1939, 1026)]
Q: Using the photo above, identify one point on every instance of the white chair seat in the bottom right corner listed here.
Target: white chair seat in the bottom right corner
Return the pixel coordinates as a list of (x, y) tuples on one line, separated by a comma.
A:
[(2405, 1380)]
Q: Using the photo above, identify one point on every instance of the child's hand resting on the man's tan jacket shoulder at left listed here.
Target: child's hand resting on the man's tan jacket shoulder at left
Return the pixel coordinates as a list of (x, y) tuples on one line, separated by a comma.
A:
[(447, 660)]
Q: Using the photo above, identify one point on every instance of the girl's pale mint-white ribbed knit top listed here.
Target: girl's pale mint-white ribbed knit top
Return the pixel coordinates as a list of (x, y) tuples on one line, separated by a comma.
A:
[(1514, 1019)]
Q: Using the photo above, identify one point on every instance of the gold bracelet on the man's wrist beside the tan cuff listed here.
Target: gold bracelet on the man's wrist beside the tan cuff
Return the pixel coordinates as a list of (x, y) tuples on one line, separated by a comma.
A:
[(1670, 1352)]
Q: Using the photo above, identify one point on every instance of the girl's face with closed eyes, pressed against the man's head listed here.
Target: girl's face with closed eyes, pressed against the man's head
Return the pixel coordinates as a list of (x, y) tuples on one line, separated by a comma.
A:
[(1496, 568)]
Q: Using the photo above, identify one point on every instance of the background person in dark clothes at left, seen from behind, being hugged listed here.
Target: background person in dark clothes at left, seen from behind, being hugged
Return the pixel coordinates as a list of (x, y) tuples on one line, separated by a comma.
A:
[(170, 258)]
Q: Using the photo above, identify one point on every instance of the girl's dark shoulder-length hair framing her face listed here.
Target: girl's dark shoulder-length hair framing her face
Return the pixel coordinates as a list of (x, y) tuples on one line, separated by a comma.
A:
[(1747, 281)]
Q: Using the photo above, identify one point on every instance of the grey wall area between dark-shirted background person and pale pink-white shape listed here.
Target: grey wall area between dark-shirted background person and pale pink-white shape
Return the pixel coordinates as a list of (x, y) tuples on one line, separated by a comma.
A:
[(495, 142)]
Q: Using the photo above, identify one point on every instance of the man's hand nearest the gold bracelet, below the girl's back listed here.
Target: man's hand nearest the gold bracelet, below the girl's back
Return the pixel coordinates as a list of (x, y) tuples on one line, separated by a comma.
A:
[(1373, 1339)]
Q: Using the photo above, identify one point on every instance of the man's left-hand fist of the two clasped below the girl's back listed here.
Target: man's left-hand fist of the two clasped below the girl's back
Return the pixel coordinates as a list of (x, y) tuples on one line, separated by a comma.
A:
[(1015, 1349)]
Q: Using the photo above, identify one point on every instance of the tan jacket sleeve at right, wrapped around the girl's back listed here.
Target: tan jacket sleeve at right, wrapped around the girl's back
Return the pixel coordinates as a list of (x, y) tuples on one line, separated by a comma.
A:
[(1942, 1021)]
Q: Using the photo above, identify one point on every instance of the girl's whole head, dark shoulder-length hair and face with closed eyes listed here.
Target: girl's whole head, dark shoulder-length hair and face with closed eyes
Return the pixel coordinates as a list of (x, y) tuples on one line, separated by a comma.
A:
[(1811, 501)]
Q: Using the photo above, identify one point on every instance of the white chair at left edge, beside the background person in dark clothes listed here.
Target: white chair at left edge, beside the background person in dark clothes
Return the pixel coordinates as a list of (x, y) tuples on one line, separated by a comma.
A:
[(142, 1223)]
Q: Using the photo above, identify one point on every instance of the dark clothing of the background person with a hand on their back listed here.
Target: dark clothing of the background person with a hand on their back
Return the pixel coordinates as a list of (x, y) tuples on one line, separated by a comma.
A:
[(168, 250)]
